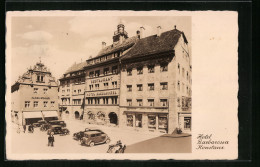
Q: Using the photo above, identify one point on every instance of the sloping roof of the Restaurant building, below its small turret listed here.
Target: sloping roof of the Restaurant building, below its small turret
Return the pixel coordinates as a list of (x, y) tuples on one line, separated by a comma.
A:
[(117, 46)]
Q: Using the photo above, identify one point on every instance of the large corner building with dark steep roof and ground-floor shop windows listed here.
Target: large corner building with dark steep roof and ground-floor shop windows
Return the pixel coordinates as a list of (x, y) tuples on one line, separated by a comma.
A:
[(155, 88)]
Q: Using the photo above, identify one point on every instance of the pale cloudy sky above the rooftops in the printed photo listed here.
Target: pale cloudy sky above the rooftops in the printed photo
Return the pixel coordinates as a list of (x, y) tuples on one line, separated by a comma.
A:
[(61, 41)]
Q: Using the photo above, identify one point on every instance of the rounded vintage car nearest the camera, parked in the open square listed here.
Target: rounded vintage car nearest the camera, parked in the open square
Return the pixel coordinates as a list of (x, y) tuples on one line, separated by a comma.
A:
[(90, 138)]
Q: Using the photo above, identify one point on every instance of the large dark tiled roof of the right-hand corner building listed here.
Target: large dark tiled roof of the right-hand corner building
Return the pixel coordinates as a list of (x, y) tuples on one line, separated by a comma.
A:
[(154, 44)]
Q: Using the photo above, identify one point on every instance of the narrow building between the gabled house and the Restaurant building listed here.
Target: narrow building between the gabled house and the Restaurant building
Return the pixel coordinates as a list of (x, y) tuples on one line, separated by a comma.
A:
[(71, 92)]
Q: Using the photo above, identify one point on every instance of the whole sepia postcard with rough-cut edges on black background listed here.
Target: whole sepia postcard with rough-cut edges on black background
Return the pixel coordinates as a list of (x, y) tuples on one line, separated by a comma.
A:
[(121, 85)]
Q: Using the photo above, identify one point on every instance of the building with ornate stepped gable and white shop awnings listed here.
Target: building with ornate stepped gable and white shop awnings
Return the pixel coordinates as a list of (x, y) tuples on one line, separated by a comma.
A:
[(34, 96)]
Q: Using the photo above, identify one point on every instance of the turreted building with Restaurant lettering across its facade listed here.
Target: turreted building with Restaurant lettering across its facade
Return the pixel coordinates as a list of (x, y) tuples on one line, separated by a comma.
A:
[(103, 80)]
